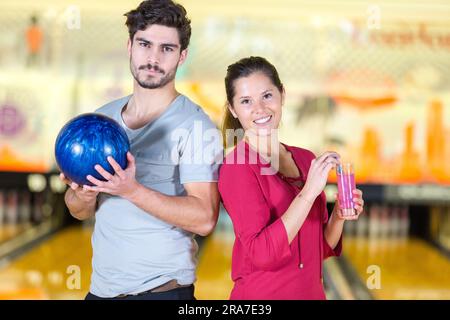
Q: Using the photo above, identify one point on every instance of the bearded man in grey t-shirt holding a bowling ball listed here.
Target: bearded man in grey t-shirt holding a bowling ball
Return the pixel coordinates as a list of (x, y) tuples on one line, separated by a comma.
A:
[(147, 213)]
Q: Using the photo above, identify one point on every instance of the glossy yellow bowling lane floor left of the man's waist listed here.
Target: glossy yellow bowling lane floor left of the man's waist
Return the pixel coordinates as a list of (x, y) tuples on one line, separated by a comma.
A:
[(58, 268)]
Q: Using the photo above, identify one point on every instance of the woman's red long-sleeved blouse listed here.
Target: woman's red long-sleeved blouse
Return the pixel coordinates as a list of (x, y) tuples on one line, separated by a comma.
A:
[(264, 264)]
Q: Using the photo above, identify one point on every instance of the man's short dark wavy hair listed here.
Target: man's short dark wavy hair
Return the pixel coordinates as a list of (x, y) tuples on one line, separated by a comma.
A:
[(163, 12)]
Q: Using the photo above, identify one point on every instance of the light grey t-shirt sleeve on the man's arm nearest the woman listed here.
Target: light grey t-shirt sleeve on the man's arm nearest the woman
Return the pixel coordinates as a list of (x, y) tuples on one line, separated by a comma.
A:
[(201, 152)]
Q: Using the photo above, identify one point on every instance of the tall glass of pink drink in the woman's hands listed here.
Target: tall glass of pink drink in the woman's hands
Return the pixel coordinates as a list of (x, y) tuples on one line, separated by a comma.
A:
[(346, 185)]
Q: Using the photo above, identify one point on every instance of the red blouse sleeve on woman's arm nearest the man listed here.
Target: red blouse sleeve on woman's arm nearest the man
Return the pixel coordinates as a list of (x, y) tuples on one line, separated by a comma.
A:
[(264, 240)]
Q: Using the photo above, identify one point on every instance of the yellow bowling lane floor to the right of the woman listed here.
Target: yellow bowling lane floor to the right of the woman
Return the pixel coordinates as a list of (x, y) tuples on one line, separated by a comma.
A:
[(410, 268)]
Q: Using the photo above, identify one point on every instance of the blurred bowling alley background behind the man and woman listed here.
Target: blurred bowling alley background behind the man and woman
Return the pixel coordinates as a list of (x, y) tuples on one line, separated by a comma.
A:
[(370, 80)]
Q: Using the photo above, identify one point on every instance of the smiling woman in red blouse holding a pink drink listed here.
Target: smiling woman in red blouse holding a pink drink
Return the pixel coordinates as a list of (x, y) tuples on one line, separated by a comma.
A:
[(280, 220)]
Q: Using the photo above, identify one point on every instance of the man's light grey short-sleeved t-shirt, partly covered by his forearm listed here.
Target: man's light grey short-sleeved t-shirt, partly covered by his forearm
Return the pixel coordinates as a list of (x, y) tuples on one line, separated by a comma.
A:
[(134, 251)]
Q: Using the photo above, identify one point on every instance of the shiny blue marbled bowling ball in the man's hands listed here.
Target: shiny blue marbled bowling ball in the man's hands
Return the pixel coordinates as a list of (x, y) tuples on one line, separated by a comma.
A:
[(87, 140)]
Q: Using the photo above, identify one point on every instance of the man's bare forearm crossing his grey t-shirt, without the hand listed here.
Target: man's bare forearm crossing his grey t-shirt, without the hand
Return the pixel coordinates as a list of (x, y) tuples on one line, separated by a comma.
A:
[(186, 212)]
